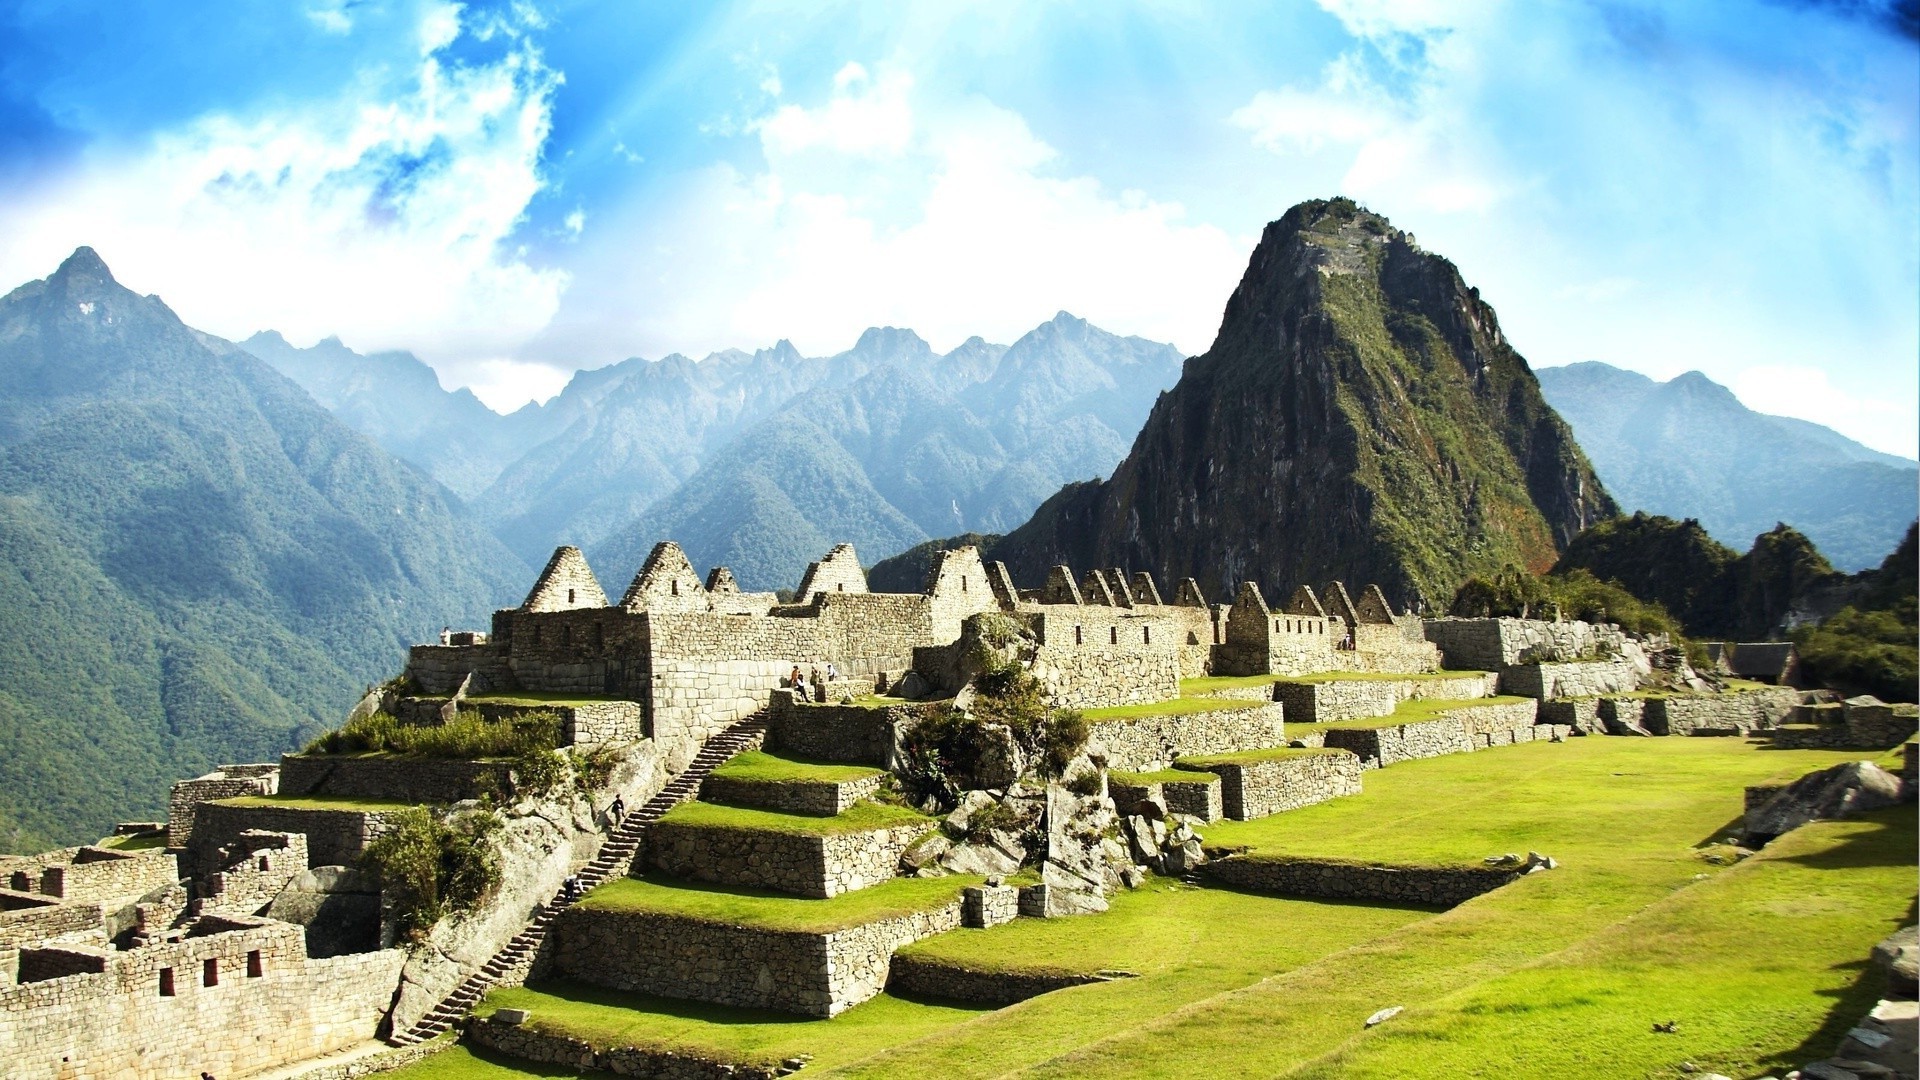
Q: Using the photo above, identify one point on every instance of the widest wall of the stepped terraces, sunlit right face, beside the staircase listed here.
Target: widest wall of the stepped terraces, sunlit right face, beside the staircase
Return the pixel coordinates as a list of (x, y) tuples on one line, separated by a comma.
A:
[(790, 971)]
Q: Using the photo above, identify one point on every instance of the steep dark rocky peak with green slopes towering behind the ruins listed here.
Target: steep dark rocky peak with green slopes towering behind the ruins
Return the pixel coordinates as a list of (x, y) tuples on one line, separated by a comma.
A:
[(1360, 416)]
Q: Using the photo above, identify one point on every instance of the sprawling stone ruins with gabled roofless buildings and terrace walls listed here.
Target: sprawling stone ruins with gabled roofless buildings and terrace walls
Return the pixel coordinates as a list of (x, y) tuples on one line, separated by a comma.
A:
[(247, 937)]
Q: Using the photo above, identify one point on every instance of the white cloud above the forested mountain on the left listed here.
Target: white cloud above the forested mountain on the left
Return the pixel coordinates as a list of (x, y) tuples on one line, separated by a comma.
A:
[(381, 216)]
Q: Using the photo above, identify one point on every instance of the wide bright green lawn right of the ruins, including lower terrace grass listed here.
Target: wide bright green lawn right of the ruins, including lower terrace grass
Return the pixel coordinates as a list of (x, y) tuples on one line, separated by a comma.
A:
[(1556, 975)]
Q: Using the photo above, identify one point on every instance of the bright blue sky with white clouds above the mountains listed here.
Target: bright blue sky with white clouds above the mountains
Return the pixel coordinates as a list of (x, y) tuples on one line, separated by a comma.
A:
[(519, 191)]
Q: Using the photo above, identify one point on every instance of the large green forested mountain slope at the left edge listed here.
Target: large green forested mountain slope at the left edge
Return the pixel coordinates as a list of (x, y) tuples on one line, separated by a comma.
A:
[(199, 564)]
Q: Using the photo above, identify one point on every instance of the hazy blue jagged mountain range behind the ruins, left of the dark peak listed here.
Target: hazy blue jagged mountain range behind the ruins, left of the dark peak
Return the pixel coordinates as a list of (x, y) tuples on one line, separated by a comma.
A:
[(882, 445)]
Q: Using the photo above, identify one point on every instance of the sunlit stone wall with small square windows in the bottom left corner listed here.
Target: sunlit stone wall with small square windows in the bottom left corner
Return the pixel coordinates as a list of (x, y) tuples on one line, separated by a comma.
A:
[(122, 1023)]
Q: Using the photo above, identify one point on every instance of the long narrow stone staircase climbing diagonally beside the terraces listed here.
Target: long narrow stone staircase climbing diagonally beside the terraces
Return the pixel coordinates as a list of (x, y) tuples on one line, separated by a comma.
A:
[(613, 860)]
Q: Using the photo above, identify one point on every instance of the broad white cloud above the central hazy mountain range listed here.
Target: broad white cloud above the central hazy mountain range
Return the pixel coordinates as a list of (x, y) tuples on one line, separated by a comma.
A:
[(880, 207)]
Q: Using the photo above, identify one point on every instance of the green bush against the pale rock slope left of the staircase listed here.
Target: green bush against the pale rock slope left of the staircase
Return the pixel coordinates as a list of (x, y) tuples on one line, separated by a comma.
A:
[(433, 866)]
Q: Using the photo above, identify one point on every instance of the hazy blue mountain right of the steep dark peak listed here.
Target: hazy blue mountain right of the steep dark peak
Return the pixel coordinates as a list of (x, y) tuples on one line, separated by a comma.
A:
[(1689, 449)]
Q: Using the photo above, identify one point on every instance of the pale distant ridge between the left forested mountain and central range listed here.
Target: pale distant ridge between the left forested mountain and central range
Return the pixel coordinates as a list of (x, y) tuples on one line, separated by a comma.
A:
[(396, 401)]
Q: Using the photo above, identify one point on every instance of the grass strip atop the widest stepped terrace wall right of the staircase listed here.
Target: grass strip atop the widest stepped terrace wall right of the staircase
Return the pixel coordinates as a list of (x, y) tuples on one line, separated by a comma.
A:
[(777, 912)]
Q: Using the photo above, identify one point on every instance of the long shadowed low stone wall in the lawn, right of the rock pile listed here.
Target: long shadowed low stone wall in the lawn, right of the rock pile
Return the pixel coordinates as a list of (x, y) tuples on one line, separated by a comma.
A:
[(1341, 879)]
